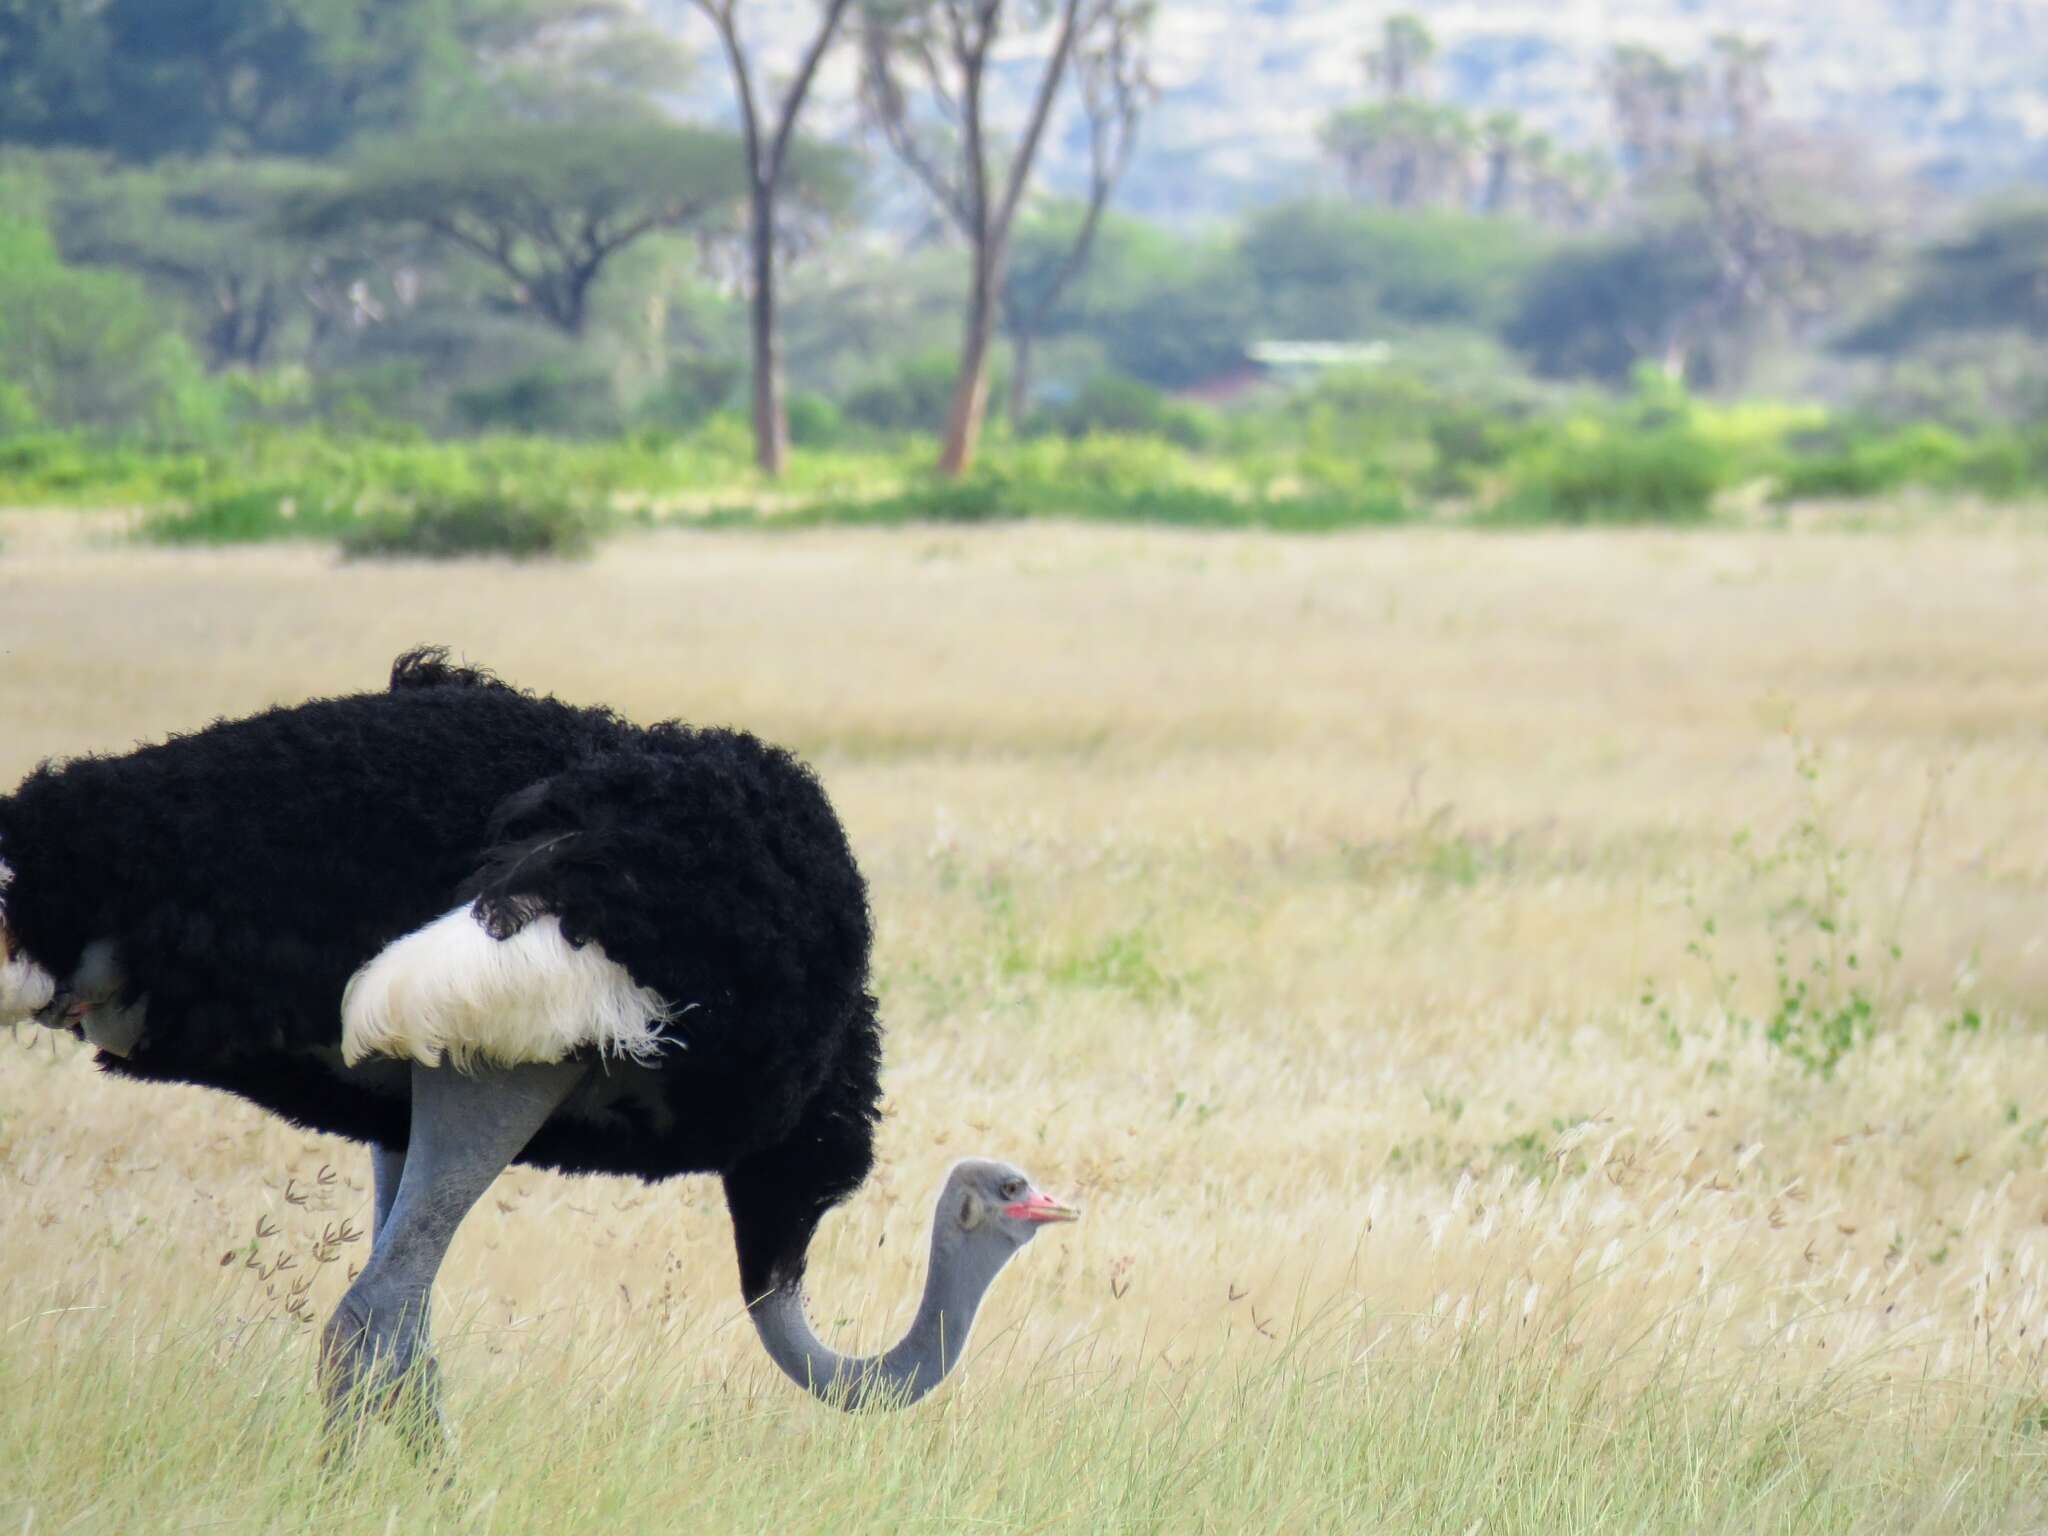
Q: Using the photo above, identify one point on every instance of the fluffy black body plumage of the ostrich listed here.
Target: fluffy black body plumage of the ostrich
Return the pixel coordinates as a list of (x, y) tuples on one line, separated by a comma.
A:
[(247, 871)]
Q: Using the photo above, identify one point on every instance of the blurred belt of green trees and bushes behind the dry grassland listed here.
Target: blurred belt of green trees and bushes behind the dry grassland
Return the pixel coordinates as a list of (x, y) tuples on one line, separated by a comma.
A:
[(388, 269)]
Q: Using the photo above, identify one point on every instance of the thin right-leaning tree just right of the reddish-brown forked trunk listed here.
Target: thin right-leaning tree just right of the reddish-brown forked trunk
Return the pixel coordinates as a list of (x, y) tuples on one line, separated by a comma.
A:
[(1117, 87)]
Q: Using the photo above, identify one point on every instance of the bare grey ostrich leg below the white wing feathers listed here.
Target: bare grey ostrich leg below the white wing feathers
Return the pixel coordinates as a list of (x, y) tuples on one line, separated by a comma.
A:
[(466, 1129)]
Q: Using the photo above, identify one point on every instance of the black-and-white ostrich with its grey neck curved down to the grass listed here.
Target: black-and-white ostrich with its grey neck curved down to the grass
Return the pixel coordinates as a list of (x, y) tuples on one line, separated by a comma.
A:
[(474, 927)]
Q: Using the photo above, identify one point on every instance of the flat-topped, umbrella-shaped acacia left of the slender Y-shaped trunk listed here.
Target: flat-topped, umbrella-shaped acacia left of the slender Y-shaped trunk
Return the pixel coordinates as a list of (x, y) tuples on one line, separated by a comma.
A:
[(548, 206)]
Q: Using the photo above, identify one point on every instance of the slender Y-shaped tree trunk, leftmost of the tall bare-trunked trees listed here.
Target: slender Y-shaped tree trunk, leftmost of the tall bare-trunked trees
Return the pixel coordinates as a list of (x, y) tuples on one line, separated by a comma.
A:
[(767, 142)]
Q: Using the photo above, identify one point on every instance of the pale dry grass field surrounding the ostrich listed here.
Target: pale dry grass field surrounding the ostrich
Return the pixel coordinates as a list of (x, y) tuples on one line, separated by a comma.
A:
[(1547, 1033)]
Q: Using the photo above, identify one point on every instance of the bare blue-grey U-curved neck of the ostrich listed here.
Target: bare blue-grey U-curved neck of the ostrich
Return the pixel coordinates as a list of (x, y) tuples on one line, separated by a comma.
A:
[(959, 1277)]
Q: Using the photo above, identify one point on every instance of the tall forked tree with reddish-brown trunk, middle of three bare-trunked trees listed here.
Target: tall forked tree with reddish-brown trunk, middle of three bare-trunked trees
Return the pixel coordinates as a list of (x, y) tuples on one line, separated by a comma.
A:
[(925, 83)]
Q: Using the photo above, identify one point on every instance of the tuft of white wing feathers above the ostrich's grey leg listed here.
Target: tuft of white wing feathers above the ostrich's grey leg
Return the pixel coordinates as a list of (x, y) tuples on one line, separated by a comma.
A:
[(452, 990)]
